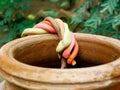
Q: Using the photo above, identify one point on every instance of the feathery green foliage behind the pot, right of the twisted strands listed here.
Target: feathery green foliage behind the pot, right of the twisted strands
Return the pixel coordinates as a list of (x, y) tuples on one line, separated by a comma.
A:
[(98, 17)]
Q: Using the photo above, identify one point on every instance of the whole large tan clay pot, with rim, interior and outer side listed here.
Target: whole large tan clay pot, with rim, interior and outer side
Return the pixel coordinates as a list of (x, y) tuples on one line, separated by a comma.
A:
[(32, 63)]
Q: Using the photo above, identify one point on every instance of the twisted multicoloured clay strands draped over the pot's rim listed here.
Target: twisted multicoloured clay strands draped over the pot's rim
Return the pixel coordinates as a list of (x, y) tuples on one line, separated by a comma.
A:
[(67, 48)]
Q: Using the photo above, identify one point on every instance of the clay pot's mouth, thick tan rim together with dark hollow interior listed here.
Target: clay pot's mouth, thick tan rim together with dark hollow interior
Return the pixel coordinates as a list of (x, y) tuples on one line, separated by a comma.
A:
[(35, 57)]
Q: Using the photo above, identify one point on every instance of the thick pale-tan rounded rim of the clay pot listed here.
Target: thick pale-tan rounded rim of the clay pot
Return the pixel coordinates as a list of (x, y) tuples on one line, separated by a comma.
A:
[(78, 75)]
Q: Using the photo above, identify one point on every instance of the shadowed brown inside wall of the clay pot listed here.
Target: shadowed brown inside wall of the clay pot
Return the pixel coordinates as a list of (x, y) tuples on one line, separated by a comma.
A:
[(43, 53)]
